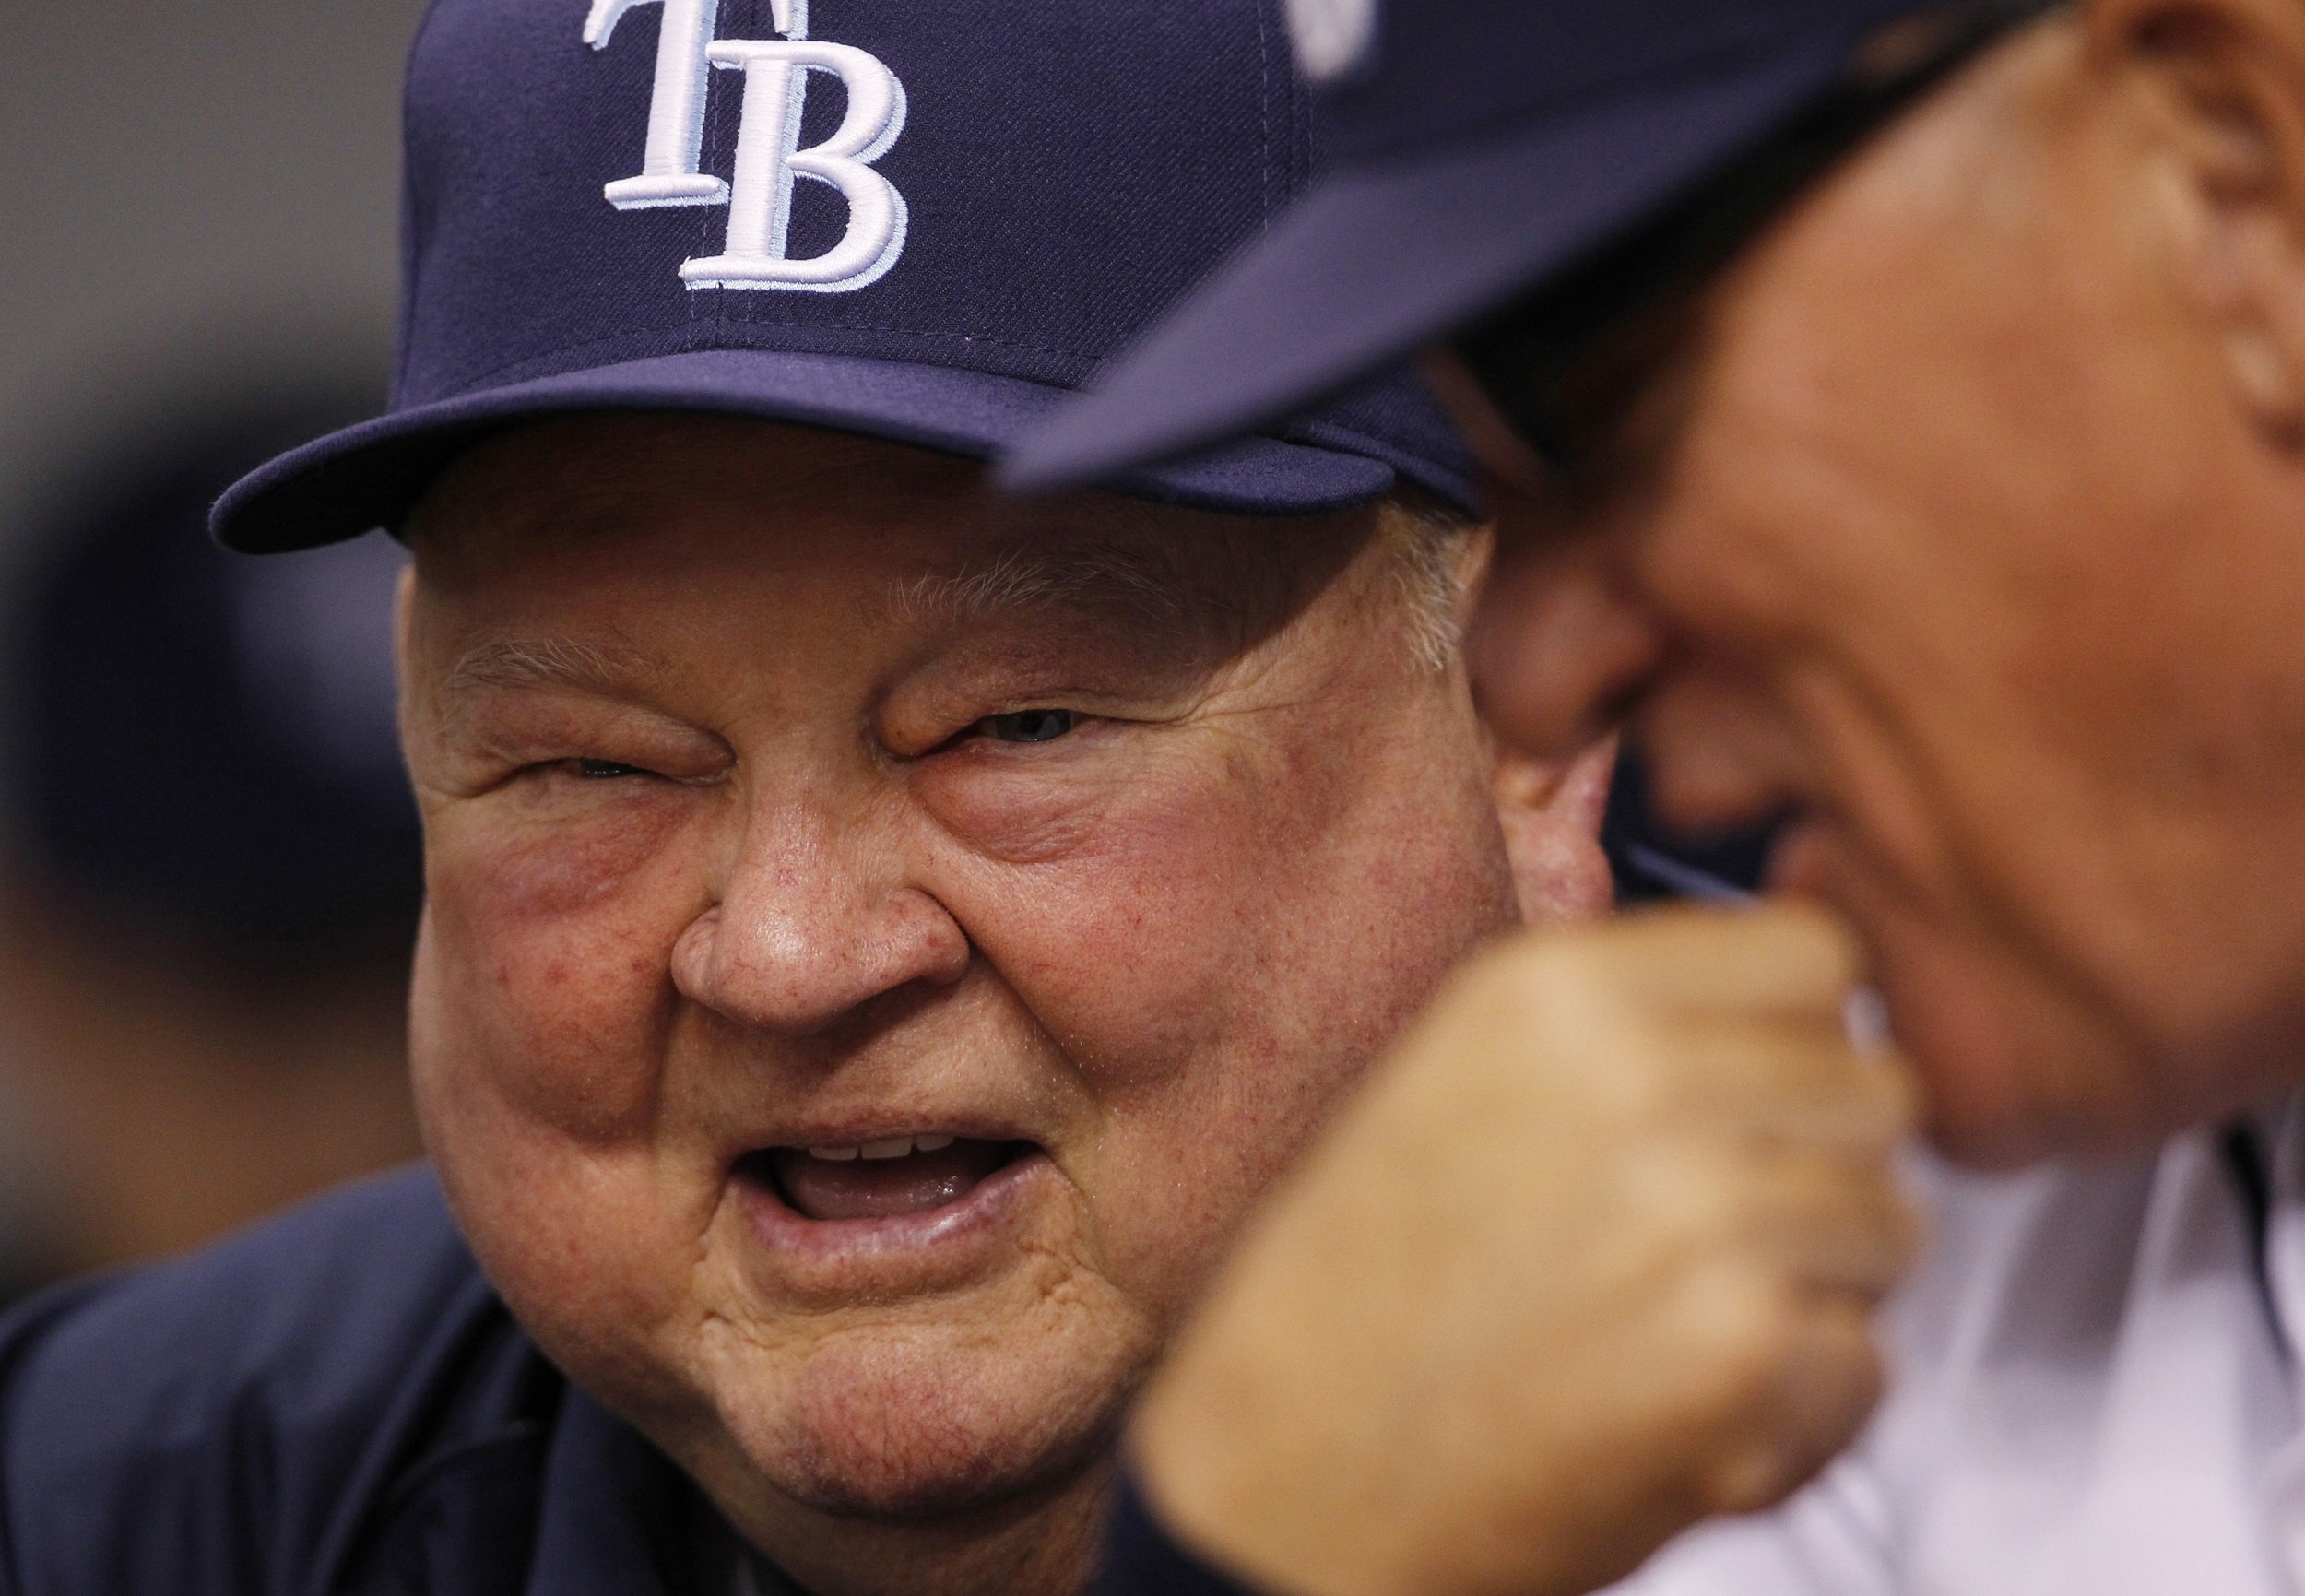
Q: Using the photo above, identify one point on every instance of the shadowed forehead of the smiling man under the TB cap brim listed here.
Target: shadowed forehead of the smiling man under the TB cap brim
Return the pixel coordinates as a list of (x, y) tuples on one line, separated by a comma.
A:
[(891, 532)]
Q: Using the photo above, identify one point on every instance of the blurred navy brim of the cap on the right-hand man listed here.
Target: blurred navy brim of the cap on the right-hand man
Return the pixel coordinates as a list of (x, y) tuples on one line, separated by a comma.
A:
[(1389, 259)]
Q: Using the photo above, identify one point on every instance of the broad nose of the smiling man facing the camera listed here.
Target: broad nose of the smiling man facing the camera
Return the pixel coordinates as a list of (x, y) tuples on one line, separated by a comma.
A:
[(815, 924)]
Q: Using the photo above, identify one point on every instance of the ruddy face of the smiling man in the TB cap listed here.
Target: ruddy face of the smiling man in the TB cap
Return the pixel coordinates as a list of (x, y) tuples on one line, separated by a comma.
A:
[(882, 938)]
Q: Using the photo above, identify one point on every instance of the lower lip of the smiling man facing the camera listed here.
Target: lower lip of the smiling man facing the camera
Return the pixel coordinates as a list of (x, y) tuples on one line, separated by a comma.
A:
[(909, 1251)]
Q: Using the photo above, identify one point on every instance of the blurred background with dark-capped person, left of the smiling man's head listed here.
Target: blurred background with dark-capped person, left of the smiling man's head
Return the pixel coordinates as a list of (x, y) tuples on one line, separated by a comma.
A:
[(209, 866)]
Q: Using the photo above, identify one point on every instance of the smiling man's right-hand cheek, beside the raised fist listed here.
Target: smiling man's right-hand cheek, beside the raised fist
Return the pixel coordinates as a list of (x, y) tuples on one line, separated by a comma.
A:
[(1230, 944)]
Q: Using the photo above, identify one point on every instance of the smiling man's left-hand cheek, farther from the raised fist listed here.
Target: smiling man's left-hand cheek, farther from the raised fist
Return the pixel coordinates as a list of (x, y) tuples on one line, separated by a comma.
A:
[(543, 1011)]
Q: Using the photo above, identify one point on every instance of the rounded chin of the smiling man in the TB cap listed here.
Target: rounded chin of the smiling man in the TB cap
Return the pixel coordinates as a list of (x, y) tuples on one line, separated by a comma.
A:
[(930, 1426)]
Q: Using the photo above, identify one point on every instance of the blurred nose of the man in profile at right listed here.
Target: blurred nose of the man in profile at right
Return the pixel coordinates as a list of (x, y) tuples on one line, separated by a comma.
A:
[(1562, 649)]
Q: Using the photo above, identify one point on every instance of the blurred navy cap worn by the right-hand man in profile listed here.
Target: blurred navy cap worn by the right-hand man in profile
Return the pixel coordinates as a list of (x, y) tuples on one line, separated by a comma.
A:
[(1483, 151)]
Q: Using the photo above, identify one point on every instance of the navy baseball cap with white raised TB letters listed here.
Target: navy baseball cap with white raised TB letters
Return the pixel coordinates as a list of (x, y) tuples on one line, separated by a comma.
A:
[(921, 223)]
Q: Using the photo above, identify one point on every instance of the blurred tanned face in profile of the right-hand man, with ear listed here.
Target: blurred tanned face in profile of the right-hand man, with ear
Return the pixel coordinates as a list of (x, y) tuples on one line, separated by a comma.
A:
[(1972, 527)]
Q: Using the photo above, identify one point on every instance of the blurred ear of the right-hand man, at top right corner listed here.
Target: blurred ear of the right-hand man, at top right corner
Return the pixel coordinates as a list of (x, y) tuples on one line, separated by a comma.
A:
[(2221, 86)]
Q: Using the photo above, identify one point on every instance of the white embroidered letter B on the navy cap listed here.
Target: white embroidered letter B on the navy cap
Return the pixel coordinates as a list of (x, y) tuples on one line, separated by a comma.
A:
[(769, 158)]
